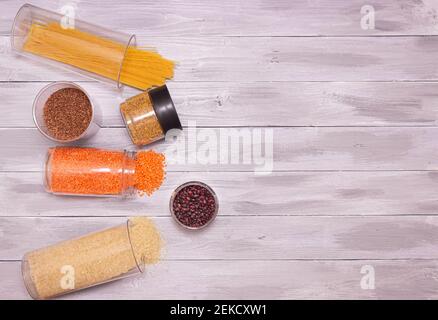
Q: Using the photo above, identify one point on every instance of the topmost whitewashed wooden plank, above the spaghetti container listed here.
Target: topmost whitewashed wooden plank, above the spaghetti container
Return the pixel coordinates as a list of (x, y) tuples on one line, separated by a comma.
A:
[(254, 18)]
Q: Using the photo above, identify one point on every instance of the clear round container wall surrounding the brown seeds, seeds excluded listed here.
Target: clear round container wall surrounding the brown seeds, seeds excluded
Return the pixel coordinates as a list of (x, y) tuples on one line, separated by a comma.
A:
[(43, 96)]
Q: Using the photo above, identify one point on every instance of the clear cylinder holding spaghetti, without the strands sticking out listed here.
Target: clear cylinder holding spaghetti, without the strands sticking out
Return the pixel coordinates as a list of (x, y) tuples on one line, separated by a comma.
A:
[(80, 47)]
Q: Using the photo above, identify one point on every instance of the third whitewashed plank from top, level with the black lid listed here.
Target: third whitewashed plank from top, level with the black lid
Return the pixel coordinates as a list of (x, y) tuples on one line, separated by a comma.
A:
[(260, 104)]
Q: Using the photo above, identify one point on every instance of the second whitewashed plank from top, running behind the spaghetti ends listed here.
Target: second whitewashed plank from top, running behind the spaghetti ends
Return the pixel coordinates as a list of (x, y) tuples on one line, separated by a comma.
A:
[(241, 59)]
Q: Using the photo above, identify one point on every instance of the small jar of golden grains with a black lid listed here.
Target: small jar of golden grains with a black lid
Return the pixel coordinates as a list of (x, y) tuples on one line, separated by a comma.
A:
[(148, 116)]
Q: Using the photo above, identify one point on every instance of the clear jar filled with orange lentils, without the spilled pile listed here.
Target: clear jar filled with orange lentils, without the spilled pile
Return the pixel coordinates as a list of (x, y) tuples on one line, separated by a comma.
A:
[(90, 171)]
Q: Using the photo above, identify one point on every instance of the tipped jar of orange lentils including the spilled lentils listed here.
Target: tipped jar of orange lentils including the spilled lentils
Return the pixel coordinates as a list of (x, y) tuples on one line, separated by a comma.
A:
[(101, 172)]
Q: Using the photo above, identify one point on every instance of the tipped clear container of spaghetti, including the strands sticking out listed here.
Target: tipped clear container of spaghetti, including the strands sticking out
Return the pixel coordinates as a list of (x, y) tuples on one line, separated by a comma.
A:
[(87, 49)]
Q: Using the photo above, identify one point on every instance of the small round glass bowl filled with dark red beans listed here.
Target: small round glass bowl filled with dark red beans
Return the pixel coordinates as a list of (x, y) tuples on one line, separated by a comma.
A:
[(194, 205)]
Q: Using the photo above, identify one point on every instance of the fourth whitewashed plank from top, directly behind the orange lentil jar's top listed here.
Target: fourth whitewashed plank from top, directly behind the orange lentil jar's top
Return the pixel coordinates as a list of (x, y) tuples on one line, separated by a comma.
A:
[(375, 148)]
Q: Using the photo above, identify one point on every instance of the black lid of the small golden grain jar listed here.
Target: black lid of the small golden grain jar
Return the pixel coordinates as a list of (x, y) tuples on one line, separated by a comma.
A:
[(164, 108)]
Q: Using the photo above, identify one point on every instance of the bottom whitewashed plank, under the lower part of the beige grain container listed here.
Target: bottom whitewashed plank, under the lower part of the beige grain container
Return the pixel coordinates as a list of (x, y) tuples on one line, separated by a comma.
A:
[(412, 279)]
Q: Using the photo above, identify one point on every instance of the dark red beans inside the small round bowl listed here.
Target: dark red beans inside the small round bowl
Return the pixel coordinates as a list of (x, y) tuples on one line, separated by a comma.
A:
[(194, 206)]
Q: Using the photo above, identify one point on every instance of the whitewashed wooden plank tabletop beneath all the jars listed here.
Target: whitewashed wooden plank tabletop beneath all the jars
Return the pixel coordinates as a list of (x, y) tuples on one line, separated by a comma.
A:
[(354, 114)]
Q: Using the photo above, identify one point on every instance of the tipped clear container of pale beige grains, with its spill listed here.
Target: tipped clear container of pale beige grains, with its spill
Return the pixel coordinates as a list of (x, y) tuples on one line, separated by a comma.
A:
[(92, 259)]
